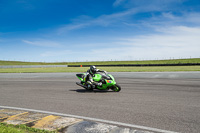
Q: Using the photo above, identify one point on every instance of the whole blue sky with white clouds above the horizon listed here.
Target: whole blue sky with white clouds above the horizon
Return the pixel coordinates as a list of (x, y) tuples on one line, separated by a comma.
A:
[(99, 30)]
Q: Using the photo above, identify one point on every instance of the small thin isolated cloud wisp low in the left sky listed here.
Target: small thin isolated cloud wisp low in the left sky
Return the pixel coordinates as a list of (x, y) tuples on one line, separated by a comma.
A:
[(43, 43)]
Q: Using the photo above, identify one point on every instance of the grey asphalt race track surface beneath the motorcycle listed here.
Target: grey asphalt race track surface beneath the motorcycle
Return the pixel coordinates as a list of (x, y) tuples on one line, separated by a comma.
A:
[(168, 101)]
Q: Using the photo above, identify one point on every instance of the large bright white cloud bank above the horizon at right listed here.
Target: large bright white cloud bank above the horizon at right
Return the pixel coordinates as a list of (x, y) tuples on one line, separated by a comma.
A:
[(173, 42)]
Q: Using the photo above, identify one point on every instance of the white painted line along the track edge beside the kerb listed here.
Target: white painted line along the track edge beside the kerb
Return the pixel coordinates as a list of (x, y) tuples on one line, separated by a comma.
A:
[(93, 119)]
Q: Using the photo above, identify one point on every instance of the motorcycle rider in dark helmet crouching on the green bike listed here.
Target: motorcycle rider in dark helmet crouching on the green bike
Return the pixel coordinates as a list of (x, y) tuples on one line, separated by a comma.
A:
[(88, 77)]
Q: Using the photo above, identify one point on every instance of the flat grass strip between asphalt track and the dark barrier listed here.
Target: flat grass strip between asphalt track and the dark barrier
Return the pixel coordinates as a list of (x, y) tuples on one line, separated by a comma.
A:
[(109, 69)]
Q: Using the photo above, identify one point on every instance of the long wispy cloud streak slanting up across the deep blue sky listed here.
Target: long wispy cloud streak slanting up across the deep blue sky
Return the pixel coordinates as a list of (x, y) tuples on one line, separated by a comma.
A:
[(105, 20)]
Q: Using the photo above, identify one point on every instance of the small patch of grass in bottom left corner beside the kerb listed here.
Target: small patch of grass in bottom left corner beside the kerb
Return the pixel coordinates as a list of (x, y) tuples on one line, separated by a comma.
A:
[(8, 128)]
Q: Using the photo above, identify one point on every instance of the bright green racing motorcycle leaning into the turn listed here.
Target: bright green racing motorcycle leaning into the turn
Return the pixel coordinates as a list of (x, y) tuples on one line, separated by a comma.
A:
[(107, 80)]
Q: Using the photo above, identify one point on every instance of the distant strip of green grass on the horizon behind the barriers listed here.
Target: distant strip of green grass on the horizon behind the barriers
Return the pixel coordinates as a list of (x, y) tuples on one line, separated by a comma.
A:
[(175, 61)]
